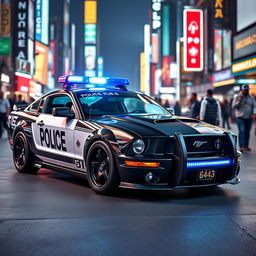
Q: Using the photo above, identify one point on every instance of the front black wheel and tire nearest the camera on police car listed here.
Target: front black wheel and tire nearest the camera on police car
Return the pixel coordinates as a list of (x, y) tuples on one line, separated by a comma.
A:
[(101, 168)]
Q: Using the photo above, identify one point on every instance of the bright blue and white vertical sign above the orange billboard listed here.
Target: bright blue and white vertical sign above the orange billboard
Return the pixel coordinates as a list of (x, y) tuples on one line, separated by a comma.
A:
[(42, 21)]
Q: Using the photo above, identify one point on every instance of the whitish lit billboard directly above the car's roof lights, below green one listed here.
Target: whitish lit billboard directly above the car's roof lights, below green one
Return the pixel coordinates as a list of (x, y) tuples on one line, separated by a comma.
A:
[(90, 60)]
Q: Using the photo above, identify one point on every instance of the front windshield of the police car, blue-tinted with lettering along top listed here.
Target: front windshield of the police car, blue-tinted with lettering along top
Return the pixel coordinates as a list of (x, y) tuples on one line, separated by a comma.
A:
[(109, 103)]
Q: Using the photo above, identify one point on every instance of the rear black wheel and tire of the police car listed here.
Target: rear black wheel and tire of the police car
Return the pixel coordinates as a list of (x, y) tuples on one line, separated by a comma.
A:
[(22, 156)]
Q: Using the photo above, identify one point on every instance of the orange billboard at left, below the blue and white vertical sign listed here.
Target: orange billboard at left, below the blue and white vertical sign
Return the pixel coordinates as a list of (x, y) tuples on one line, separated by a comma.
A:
[(41, 63)]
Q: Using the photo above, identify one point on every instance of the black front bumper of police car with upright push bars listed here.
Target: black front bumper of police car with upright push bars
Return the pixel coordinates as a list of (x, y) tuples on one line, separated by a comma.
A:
[(173, 171)]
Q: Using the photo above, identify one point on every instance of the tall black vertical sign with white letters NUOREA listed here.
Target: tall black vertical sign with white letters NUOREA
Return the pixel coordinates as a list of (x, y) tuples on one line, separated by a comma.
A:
[(20, 30)]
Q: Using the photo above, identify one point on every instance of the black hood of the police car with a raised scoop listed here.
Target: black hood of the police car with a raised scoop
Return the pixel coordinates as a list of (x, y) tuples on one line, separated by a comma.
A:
[(145, 125)]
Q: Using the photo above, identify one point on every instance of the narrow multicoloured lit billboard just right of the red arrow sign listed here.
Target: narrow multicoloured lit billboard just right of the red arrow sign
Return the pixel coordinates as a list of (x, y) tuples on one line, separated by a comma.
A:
[(217, 56)]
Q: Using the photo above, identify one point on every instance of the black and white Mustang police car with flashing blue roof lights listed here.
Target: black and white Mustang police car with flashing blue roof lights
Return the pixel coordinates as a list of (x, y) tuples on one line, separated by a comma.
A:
[(94, 127)]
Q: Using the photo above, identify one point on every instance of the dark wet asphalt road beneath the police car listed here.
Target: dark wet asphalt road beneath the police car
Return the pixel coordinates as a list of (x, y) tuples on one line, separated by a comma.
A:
[(56, 214)]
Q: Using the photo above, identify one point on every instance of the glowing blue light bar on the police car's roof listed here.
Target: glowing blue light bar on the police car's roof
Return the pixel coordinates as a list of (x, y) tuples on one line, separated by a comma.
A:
[(93, 80)]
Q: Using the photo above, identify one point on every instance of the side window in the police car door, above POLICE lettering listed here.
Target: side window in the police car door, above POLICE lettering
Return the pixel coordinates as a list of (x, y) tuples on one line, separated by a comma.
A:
[(57, 101)]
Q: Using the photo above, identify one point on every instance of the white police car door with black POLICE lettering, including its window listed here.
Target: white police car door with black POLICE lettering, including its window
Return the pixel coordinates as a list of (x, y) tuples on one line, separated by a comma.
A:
[(53, 135)]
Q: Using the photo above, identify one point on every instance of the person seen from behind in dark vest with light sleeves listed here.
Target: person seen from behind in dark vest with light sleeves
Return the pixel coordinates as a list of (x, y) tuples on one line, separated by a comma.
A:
[(210, 111)]
